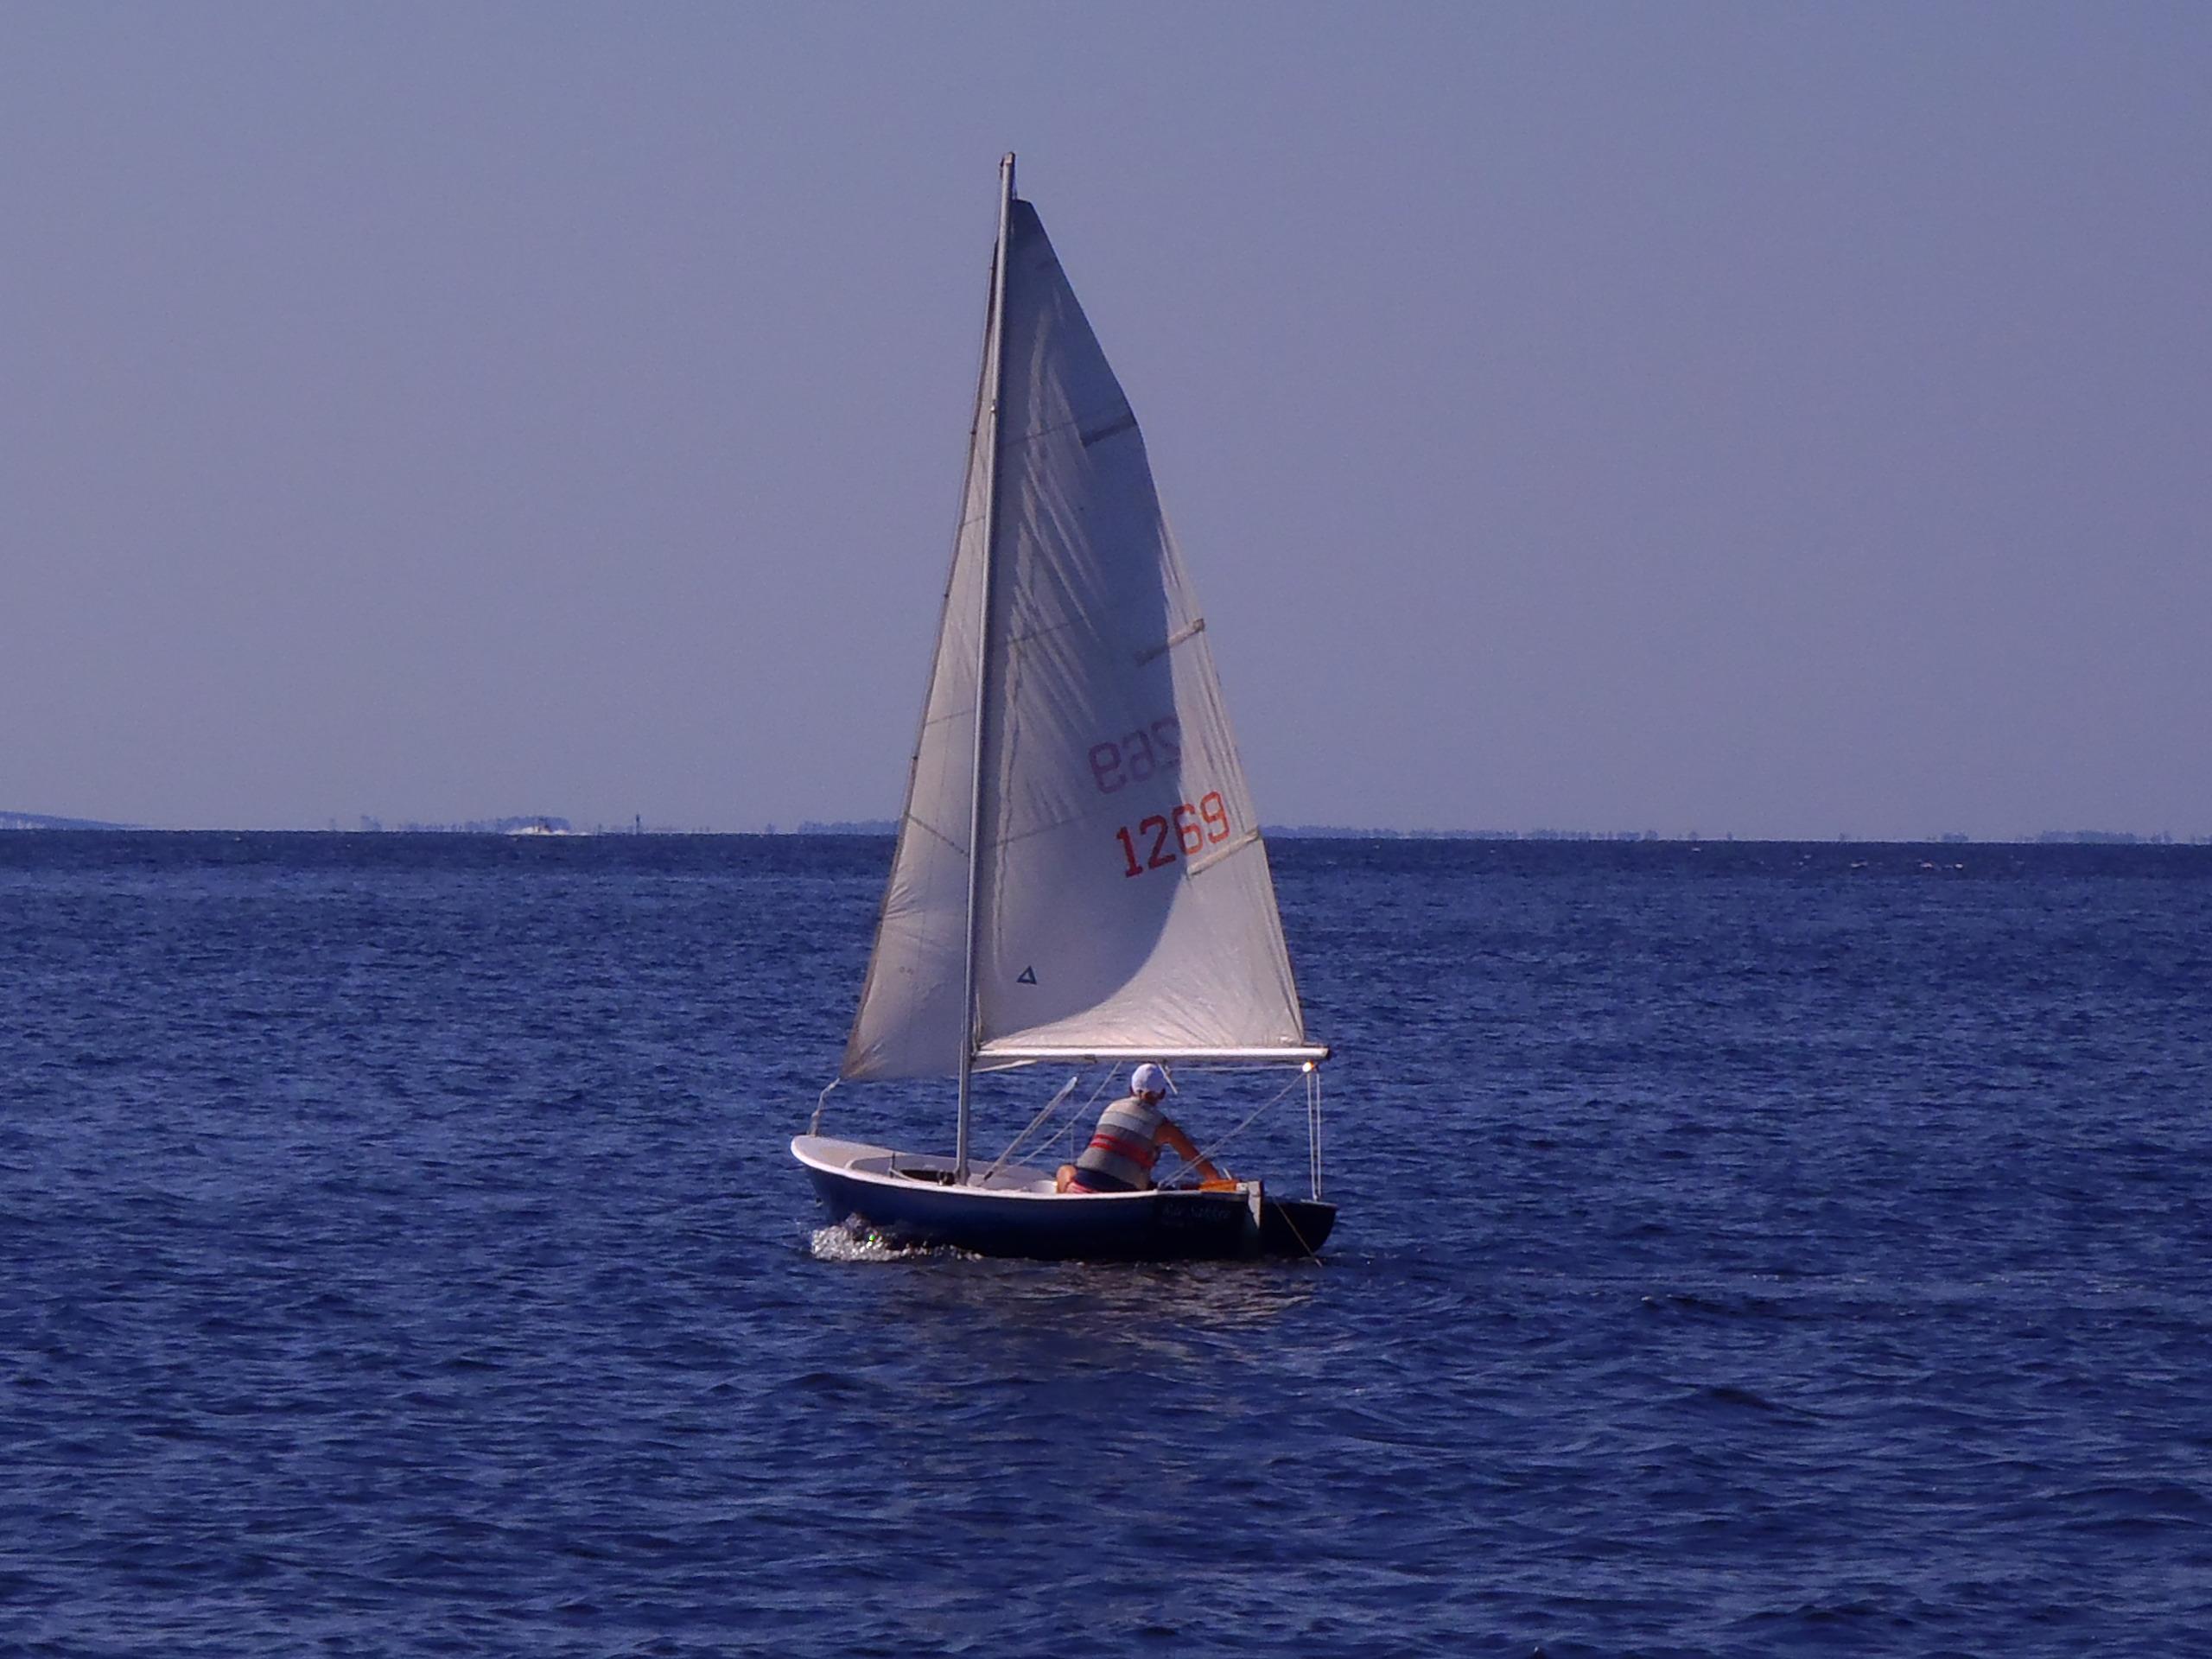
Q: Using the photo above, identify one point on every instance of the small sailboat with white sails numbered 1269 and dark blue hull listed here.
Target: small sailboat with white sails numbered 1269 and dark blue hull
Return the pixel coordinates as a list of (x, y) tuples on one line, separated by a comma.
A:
[(1081, 875)]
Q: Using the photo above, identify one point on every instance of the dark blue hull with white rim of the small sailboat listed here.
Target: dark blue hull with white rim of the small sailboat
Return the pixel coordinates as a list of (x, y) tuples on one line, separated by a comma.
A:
[(912, 1209)]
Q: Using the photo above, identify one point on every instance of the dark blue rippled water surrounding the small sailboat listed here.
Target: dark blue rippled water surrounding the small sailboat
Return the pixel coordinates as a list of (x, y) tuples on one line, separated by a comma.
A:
[(1744, 1251)]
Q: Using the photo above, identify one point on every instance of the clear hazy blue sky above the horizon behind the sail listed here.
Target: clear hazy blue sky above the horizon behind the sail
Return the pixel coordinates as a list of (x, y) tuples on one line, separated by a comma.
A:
[(1784, 421)]
